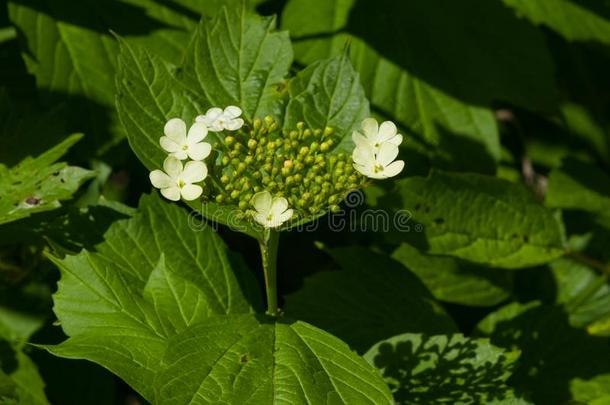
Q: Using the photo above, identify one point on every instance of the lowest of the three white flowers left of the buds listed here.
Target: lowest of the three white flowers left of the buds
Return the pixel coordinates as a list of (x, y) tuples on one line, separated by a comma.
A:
[(177, 181)]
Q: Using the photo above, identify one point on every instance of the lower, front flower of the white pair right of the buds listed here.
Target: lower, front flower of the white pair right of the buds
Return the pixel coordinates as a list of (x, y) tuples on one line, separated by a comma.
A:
[(378, 165)]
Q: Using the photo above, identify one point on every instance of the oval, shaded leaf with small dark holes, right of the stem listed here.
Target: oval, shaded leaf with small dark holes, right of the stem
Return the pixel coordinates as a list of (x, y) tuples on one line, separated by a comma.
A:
[(478, 218)]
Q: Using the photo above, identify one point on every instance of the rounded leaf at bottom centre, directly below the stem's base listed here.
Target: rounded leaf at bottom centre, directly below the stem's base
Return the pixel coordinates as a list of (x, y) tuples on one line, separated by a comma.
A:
[(256, 361)]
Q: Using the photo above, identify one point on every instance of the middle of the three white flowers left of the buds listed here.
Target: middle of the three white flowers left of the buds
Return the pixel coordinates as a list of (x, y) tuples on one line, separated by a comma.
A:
[(181, 145)]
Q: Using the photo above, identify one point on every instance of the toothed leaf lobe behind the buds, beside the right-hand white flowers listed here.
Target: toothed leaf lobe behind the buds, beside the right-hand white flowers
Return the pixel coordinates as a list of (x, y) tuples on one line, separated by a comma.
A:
[(328, 93)]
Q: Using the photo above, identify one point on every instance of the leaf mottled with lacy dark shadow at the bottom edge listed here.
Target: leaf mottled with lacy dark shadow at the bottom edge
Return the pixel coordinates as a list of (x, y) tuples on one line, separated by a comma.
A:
[(448, 369)]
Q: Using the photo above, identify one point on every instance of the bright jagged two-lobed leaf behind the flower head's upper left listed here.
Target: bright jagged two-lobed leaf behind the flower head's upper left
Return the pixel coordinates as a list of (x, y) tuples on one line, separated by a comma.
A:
[(243, 70)]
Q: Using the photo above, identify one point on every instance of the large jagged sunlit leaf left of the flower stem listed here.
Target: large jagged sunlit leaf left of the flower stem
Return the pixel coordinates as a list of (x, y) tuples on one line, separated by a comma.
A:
[(152, 277)]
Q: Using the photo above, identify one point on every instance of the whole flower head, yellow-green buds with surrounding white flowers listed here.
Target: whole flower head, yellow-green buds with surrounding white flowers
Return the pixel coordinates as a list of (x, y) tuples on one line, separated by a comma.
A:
[(272, 175)]
